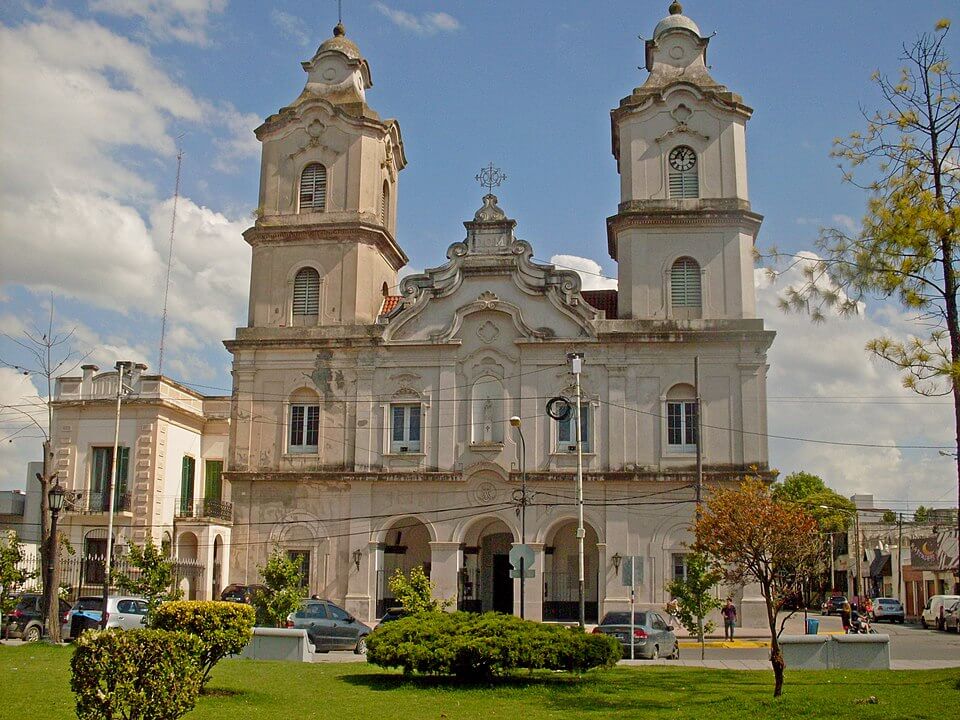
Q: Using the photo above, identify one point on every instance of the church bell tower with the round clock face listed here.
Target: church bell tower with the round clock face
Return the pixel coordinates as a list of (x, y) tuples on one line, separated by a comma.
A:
[(684, 231)]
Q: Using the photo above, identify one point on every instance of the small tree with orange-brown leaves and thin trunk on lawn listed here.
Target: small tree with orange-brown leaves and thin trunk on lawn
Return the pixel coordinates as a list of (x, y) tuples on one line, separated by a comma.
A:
[(753, 538)]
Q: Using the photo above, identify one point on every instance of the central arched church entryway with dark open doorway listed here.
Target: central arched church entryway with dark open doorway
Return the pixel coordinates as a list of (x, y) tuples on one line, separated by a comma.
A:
[(485, 583)]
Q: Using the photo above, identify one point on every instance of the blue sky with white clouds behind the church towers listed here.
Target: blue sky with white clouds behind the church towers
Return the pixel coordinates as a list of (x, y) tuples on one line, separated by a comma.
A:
[(98, 96)]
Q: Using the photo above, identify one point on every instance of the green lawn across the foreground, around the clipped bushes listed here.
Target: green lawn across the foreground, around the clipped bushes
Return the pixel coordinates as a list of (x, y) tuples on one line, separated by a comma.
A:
[(35, 684)]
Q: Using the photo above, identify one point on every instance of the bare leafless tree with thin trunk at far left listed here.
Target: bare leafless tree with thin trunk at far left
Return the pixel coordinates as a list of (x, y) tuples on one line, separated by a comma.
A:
[(49, 354)]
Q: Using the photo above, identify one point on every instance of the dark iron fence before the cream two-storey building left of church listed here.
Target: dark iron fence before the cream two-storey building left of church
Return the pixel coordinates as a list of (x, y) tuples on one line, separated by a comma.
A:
[(84, 574)]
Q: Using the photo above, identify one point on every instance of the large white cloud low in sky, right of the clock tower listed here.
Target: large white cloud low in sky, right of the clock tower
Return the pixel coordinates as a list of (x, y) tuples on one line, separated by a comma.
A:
[(823, 384)]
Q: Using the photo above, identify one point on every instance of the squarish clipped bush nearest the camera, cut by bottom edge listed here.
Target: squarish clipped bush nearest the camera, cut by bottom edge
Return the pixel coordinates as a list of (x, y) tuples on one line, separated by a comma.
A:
[(135, 674)]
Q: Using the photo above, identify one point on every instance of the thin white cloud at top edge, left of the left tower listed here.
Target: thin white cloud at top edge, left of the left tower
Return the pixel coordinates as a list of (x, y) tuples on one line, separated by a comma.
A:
[(183, 20)]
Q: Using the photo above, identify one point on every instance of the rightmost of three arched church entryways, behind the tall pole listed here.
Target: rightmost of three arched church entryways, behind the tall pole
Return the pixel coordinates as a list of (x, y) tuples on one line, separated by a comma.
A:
[(561, 573)]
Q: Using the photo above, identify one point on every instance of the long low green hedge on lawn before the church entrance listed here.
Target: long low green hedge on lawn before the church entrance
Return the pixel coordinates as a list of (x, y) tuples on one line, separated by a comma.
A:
[(469, 646)]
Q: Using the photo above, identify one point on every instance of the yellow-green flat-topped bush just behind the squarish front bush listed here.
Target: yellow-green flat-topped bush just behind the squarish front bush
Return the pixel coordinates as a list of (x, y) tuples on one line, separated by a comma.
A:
[(223, 628)]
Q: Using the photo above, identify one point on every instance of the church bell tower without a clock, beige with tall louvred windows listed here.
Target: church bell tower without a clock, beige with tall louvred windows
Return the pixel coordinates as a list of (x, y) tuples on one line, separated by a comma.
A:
[(323, 243)]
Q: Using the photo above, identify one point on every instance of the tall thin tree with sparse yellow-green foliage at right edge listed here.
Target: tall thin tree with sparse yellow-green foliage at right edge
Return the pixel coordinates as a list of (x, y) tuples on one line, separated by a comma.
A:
[(907, 245)]
